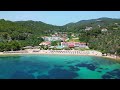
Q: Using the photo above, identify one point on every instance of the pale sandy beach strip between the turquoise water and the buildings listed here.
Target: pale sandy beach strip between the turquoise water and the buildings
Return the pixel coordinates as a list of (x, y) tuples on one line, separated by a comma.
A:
[(58, 52)]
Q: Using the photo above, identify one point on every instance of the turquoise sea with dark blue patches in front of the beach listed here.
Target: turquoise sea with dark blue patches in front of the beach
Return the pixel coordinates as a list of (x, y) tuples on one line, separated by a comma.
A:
[(58, 67)]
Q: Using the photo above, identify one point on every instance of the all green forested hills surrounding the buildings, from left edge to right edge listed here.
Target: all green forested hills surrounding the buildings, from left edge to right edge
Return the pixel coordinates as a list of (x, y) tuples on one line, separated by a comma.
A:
[(15, 35)]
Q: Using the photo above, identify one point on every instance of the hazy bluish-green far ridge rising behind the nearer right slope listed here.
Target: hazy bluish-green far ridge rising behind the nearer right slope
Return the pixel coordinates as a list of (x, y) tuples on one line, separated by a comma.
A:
[(103, 22)]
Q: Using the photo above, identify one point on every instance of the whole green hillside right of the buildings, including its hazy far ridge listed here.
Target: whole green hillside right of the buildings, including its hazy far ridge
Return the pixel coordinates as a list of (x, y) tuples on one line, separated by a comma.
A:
[(104, 41)]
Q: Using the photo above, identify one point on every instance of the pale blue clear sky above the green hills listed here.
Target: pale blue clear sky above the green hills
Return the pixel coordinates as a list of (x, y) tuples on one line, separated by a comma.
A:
[(57, 17)]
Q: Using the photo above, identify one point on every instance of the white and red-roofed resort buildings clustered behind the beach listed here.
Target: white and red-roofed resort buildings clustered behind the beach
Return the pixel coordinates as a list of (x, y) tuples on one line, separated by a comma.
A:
[(62, 37)]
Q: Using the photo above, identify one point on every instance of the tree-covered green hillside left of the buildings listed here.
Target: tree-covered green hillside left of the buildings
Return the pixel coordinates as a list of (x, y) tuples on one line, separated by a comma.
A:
[(23, 32)]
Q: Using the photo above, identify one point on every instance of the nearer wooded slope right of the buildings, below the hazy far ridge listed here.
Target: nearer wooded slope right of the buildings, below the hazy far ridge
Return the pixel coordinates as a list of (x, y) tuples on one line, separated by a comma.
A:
[(104, 41)]
